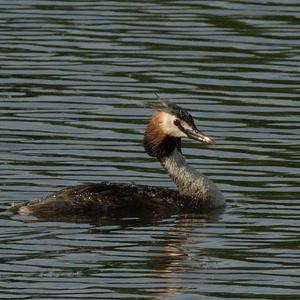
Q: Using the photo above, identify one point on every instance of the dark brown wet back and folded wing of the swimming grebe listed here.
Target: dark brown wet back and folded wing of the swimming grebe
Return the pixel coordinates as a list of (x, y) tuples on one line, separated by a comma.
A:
[(102, 199)]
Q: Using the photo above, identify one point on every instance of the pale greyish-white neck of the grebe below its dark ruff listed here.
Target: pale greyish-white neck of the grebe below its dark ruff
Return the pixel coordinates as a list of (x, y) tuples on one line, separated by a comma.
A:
[(190, 182)]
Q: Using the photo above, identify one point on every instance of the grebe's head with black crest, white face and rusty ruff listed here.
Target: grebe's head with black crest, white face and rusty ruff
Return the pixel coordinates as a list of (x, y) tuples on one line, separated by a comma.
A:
[(167, 126)]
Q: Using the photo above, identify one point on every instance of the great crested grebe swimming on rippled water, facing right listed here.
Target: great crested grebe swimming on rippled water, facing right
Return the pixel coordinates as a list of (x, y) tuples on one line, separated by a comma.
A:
[(162, 139)]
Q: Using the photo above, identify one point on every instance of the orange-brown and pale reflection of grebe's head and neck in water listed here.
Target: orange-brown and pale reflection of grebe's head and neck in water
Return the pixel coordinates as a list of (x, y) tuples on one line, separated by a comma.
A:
[(174, 251)]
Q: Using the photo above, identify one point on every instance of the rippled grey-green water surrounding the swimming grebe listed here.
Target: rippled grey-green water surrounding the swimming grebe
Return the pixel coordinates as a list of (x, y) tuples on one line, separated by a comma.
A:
[(74, 76)]
